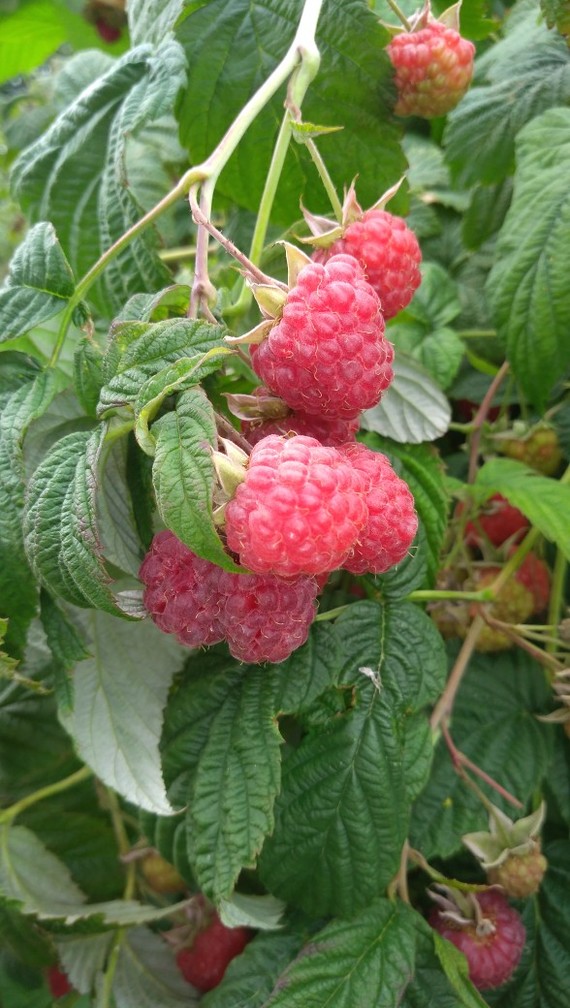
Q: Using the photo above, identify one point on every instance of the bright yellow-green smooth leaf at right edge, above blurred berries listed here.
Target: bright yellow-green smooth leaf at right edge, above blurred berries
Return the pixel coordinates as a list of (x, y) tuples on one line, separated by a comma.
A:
[(544, 501)]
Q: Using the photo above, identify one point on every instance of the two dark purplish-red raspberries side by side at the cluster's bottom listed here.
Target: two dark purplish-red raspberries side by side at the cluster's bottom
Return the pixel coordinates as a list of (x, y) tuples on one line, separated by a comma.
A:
[(264, 618)]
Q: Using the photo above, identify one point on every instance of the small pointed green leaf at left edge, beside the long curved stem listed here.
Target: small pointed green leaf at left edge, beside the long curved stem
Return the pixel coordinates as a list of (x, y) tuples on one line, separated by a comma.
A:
[(39, 285)]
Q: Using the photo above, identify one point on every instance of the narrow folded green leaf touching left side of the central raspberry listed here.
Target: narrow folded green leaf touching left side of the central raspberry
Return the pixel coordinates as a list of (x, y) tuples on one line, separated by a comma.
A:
[(183, 475)]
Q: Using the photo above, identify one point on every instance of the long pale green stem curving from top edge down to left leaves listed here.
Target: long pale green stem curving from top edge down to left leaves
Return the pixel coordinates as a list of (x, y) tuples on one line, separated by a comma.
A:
[(303, 49)]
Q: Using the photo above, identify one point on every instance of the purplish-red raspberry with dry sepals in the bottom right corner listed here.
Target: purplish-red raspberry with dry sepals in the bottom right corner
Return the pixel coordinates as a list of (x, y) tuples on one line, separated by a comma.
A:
[(493, 948)]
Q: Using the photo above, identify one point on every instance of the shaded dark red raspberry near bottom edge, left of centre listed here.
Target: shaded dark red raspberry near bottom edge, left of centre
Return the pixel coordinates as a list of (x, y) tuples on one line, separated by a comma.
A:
[(205, 963)]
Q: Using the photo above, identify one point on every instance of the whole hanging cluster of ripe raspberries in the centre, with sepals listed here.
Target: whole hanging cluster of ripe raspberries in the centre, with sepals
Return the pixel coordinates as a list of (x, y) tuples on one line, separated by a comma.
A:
[(309, 499)]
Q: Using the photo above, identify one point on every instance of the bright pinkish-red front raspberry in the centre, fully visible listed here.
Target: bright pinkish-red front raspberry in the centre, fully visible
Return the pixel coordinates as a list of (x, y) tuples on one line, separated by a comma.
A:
[(299, 511)]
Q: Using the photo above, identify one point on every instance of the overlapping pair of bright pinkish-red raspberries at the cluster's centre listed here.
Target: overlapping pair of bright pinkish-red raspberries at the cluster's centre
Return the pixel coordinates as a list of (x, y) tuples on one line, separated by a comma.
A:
[(307, 510)]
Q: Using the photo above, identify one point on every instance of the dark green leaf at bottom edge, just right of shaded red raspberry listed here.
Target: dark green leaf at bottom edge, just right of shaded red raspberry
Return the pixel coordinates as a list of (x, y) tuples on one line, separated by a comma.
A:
[(251, 978)]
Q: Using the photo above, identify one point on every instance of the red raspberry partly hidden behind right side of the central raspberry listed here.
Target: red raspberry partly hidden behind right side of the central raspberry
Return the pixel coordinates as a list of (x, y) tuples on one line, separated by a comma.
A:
[(393, 523)]
